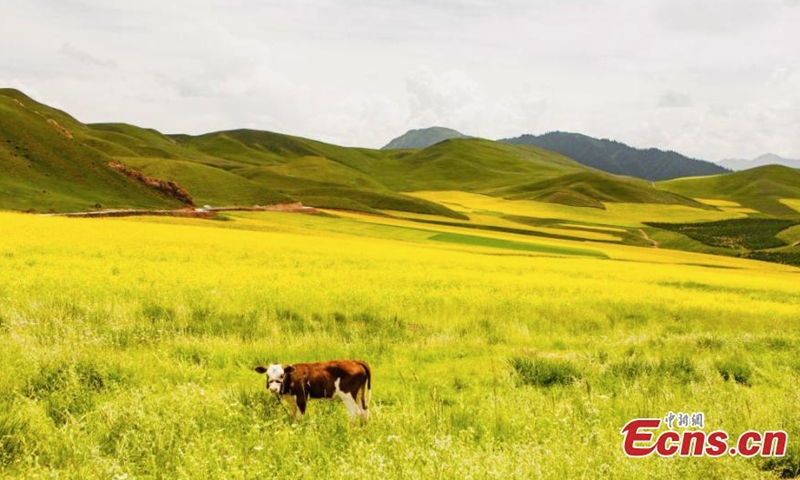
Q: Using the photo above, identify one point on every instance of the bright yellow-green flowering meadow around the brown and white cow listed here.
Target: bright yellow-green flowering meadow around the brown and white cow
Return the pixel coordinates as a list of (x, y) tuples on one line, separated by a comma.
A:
[(128, 346)]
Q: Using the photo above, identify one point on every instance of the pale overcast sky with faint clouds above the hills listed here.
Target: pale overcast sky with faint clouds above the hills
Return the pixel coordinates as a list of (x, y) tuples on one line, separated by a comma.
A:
[(710, 79)]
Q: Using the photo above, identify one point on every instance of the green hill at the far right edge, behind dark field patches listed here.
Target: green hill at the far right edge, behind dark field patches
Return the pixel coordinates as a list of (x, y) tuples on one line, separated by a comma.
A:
[(759, 188)]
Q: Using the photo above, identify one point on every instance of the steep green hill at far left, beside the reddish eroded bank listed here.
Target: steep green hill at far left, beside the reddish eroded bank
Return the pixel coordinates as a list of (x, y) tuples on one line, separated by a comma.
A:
[(47, 168)]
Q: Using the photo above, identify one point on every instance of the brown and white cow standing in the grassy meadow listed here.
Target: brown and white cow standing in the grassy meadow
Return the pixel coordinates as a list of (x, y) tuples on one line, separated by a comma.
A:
[(349, 380)]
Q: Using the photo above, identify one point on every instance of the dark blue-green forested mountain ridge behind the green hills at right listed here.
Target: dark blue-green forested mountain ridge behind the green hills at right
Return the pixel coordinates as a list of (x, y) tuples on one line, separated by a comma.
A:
[(618, 158)]
